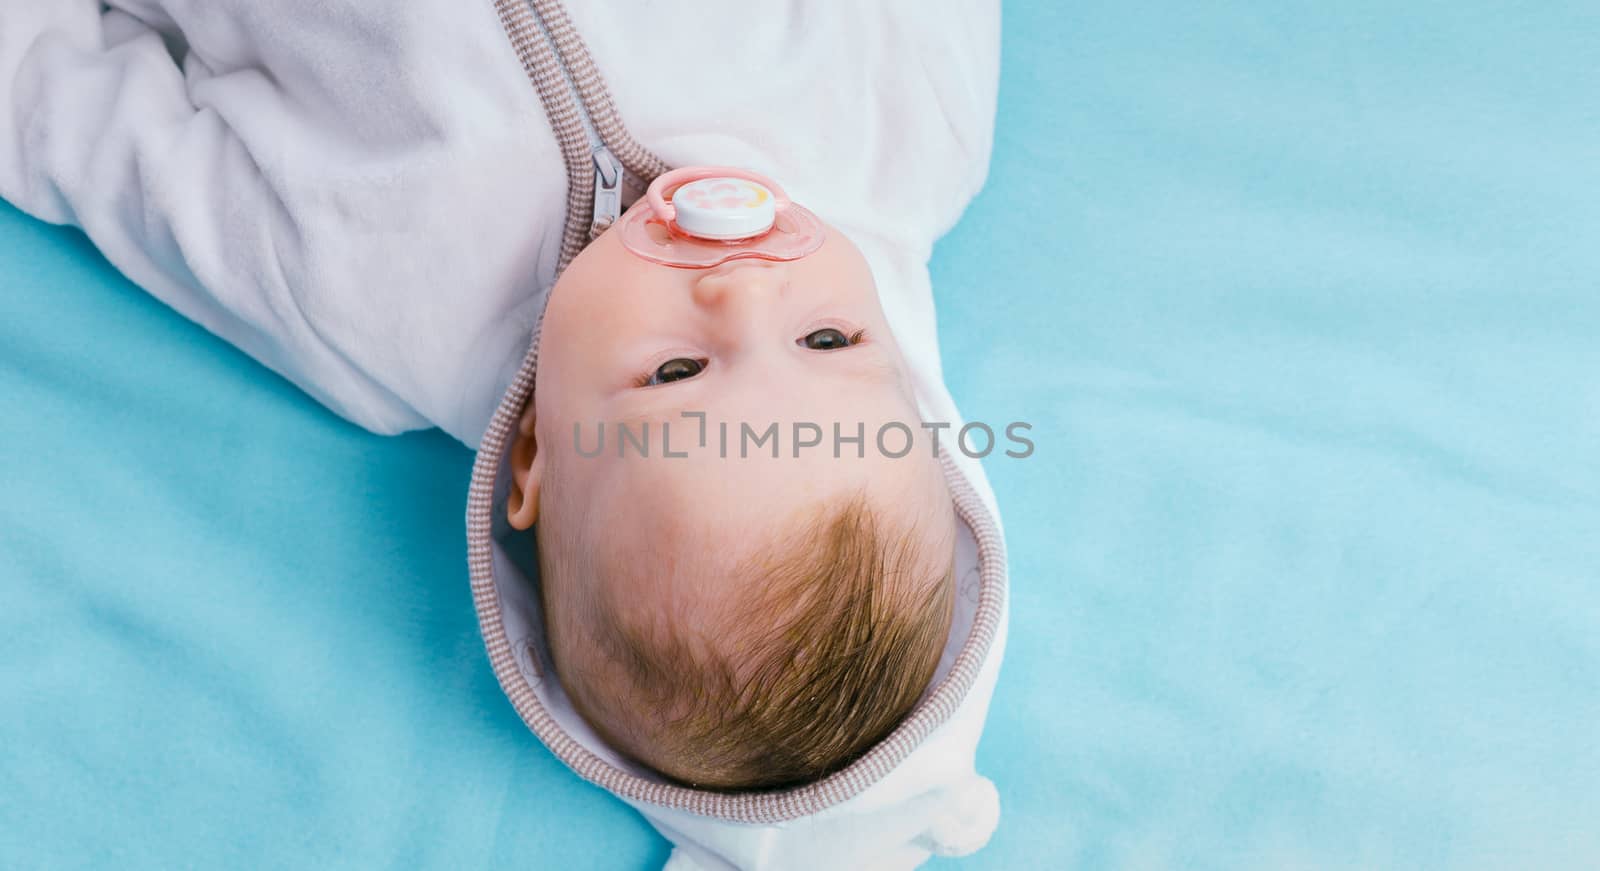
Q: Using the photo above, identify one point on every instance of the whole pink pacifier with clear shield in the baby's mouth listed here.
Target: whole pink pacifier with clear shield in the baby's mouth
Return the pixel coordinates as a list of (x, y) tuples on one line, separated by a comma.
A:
[(700, 217)]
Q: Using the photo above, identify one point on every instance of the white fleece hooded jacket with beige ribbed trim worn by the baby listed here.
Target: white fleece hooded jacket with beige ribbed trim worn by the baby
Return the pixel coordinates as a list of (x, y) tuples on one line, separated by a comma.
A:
[(369, 199)]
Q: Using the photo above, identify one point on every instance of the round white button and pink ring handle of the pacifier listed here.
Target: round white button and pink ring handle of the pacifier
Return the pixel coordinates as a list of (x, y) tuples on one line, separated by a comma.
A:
[(719, 209)]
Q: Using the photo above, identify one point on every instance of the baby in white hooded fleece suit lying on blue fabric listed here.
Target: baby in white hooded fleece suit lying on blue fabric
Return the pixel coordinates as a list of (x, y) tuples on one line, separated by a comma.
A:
[(375, 201)]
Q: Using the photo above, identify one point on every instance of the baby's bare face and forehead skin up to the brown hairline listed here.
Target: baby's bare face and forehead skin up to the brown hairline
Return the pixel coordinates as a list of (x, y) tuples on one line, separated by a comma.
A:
[(748, 343)]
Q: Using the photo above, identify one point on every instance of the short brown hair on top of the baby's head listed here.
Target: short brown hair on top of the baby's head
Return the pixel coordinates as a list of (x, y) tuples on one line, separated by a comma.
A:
[(838, 640)]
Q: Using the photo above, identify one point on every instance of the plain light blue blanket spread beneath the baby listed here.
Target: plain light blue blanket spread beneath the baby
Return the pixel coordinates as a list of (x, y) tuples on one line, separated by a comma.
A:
[(1303, 305)]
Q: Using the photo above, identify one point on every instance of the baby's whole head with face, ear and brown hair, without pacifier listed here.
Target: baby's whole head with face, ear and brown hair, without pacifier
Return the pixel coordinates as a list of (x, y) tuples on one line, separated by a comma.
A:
[(695, 548)]
